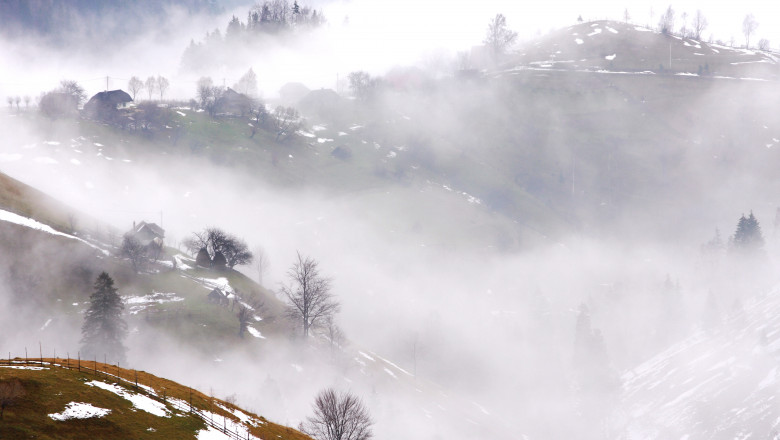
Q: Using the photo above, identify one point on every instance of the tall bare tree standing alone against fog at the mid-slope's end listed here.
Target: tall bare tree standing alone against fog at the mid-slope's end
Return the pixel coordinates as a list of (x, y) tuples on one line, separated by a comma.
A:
[(309, 297)]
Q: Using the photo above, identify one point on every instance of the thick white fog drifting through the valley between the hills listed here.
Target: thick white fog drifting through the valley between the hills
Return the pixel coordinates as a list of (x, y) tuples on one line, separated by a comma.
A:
[(484, 309)]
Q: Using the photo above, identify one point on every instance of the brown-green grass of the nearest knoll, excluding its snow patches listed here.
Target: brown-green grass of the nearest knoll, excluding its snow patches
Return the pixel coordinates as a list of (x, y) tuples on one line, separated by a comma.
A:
[(49, 390)]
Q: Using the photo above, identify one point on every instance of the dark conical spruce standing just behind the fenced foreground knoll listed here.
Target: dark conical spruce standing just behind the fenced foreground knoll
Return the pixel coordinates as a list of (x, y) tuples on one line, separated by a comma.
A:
[(104, 329)]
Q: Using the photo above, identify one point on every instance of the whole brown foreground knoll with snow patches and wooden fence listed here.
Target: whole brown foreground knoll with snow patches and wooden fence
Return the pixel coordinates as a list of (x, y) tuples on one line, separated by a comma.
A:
[(61, 399)]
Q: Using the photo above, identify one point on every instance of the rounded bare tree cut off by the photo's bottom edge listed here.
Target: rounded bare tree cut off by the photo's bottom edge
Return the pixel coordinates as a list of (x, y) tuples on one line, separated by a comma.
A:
[(338, 416)]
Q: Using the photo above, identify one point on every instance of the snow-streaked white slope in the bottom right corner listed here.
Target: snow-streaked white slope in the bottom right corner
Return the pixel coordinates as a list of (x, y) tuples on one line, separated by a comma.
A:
[(719, 383)]
